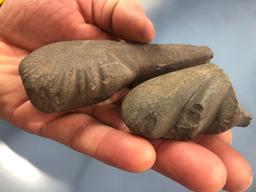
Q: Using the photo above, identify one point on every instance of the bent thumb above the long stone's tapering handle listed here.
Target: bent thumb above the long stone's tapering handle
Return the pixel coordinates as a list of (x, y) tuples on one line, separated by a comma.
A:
[(125, 19)]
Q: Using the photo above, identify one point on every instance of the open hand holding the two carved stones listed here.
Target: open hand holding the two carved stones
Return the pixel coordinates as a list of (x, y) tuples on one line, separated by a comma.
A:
[(98, 130)]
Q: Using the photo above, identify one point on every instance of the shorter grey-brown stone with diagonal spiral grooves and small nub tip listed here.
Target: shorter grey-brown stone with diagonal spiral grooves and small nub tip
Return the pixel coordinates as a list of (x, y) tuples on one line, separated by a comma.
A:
[(182, 104)]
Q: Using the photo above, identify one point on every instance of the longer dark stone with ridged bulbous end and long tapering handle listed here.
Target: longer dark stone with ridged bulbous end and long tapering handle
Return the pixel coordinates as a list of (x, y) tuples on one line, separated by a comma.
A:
[(72, 74)]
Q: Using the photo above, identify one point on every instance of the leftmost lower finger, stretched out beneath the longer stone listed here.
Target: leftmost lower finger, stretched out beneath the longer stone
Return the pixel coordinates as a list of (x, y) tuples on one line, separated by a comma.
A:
[(114, 147)]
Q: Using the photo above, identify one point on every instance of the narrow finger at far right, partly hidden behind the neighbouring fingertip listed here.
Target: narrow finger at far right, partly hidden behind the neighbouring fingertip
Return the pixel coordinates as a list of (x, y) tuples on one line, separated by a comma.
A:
[(238, 169)]
